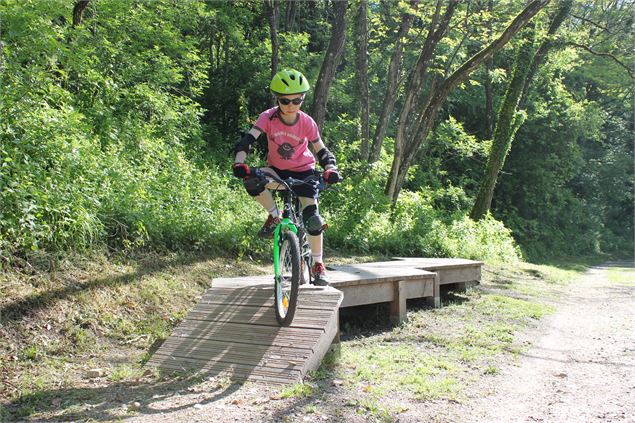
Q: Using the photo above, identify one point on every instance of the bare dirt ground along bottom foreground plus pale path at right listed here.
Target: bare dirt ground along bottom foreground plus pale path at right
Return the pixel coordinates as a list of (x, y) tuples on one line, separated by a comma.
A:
[(580, 368)]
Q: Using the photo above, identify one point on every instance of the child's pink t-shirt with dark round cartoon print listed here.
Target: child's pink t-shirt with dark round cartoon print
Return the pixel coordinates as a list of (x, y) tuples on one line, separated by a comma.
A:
[(289, 144)]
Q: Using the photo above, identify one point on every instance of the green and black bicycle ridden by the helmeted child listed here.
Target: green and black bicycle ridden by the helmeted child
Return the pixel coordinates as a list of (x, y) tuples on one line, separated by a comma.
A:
[(291, 250)]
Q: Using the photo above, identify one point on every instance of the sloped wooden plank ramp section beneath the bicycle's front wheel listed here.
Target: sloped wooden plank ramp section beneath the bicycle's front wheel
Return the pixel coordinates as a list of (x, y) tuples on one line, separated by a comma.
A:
[(232, 332)]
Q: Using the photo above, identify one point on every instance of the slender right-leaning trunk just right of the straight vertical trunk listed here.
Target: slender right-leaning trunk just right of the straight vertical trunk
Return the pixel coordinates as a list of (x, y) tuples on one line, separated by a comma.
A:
[(394, 69)]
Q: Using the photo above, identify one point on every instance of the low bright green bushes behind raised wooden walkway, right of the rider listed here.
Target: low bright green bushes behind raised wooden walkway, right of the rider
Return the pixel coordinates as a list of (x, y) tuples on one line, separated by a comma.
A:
[(362, 220)]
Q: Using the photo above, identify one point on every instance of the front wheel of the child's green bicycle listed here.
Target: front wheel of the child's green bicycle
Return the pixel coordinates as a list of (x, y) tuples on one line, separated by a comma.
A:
[(288, 279)]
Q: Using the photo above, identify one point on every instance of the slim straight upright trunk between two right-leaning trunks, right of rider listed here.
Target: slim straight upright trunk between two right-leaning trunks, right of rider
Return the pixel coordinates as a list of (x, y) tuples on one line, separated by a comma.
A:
[(362, 66)]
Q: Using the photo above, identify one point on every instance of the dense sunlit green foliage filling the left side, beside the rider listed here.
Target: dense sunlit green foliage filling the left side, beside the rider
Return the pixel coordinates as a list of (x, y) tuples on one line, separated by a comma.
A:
[(108, 148)]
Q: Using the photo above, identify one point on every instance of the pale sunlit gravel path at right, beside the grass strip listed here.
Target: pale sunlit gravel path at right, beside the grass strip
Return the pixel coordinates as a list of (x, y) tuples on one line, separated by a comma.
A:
[(581, 367)]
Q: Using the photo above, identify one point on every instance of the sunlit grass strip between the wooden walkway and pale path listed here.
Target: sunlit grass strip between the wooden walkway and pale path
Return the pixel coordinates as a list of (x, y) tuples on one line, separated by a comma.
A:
[(439, 353)]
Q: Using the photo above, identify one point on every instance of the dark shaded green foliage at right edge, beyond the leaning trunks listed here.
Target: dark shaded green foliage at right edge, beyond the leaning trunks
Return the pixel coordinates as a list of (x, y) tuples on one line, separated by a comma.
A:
[(564, 208)]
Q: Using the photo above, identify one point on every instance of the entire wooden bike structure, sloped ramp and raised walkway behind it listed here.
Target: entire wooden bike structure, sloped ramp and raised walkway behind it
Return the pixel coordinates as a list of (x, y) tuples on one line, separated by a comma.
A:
[(232, 331)]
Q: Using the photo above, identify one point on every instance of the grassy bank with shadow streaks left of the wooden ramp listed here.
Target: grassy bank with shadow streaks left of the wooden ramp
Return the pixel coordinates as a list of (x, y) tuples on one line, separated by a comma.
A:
[(61, 318)]
